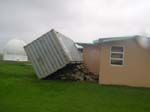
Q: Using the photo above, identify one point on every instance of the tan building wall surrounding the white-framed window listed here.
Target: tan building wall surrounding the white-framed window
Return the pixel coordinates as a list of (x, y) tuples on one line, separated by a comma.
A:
[(134, 72)]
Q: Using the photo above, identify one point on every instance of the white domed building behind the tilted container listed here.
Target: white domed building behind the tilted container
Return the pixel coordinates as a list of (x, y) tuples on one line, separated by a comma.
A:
[(14, 51)]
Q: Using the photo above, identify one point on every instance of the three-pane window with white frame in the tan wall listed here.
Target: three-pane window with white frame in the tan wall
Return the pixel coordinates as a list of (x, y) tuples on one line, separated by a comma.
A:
[(117, 55)]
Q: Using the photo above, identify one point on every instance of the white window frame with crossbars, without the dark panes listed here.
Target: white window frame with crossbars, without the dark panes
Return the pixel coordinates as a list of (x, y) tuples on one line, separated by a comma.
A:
[(122, 59)]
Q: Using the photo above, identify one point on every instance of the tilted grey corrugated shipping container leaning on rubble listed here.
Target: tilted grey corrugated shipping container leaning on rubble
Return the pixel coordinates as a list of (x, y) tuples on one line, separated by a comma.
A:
[(51, 52)]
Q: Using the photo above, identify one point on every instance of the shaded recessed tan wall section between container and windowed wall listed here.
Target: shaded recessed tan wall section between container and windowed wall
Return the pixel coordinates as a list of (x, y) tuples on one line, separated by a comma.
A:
[(91, 57)]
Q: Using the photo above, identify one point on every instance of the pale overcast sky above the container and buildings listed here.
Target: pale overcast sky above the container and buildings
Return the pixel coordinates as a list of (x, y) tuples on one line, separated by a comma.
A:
[(81, 20)]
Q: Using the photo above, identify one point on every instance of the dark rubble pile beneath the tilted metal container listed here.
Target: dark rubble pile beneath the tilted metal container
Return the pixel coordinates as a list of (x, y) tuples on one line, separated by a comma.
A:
[(74, 72)]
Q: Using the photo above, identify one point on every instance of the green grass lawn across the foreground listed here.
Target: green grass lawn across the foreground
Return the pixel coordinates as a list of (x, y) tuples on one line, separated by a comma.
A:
[(21, 91)]
